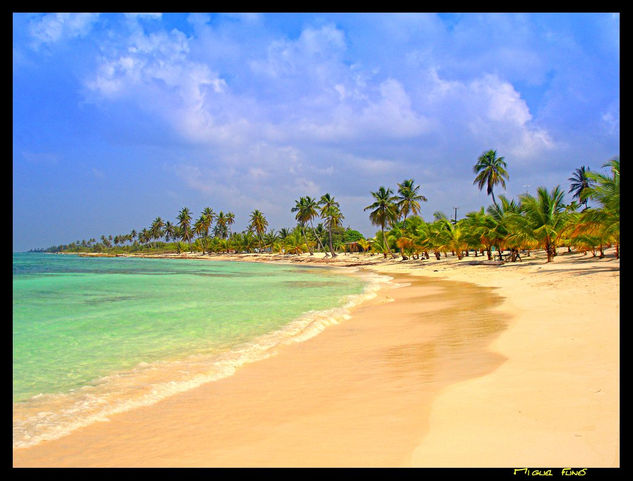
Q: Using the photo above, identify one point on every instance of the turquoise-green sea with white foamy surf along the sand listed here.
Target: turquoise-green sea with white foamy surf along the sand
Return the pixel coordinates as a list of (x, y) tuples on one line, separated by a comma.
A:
[(93, 336)]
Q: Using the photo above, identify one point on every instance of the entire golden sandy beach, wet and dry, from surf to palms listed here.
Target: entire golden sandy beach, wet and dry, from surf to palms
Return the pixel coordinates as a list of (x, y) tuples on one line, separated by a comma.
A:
[(454, 364)]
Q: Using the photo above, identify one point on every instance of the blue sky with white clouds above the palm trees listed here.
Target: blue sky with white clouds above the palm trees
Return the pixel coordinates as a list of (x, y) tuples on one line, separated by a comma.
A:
[(122, 118)]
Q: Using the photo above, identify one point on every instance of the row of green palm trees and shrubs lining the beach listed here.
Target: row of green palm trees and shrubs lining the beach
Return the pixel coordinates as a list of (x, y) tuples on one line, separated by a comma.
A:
[(508, 228)]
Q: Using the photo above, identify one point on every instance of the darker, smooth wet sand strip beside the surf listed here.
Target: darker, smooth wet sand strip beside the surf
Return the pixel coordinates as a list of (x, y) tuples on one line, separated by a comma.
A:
[(358, 394)]
